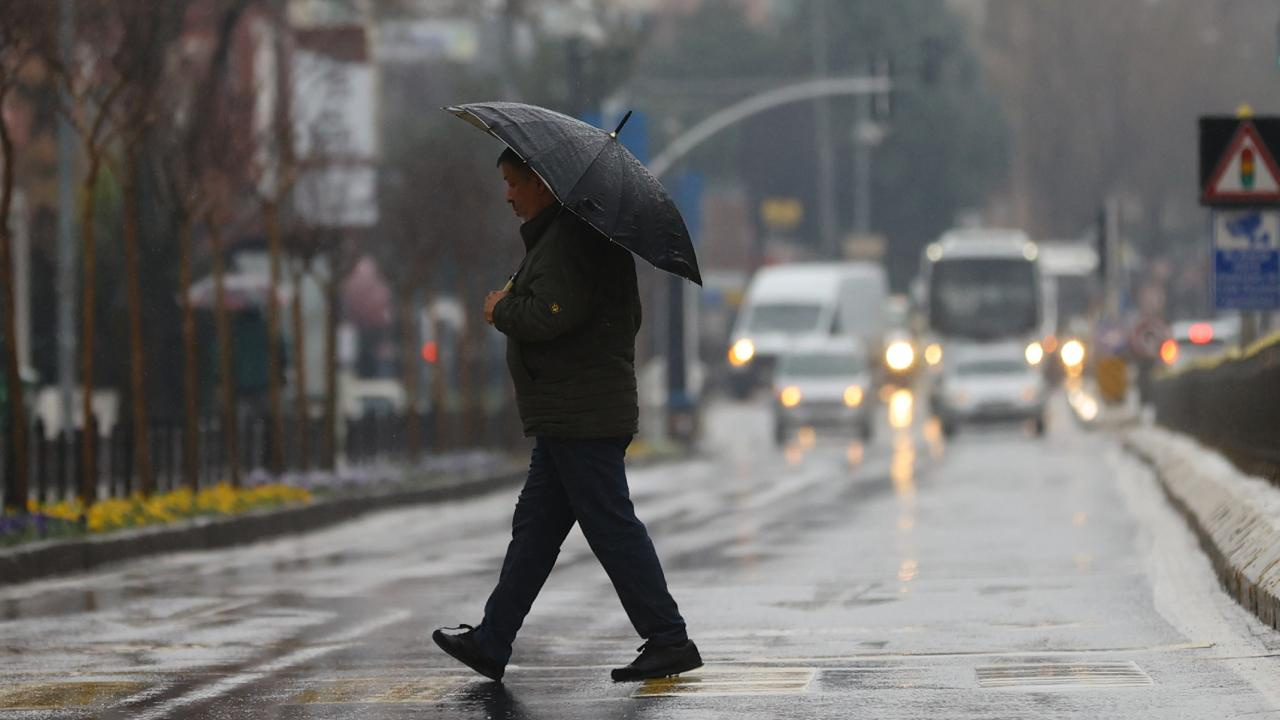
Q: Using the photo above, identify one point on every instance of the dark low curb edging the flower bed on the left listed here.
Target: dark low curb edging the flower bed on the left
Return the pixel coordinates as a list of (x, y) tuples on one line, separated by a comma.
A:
[(44, 559)]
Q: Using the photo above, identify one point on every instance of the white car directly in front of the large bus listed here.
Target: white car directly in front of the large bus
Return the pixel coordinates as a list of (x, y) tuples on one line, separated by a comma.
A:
[(989, 385)]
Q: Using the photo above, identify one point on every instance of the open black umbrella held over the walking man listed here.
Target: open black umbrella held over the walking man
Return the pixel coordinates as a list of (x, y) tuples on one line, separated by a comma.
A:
[(595, 177)]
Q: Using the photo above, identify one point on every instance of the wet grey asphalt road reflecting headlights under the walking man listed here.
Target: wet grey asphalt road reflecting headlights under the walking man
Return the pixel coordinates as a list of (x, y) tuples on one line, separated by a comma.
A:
[(994, 576)]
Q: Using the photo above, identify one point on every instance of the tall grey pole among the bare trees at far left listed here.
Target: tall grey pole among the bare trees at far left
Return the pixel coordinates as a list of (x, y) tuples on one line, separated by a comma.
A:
[(66, 233)]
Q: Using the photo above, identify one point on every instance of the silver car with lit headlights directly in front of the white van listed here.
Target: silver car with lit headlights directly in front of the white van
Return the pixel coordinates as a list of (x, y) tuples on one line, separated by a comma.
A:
[(824, 385)]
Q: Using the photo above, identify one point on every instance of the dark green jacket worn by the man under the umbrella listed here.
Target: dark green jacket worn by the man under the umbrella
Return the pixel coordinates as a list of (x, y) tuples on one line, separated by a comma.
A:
[(572, 321)]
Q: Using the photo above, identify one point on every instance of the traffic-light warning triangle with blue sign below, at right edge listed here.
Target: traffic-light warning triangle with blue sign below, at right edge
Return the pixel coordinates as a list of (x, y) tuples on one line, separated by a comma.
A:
[(1240, 181)]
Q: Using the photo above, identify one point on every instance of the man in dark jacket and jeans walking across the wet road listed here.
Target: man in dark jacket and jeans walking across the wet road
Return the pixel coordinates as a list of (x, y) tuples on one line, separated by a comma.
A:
[(572, 317)]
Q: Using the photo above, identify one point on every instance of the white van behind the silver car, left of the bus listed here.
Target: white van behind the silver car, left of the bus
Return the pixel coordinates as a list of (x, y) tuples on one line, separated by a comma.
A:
[(785, 304)]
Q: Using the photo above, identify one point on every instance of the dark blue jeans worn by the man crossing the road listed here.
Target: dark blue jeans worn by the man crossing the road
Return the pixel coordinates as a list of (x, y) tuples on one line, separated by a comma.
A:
[(579, 481)]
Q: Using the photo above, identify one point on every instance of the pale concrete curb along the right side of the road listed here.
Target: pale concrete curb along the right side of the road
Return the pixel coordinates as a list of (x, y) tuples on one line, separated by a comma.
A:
[(1240, 534)]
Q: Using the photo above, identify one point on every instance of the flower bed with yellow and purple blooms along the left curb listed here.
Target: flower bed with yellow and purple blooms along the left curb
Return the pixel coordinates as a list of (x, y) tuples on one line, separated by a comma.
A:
[(70, 518)]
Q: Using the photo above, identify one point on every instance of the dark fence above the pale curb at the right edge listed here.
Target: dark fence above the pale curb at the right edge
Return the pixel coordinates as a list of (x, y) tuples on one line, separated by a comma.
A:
[(1231, 404)]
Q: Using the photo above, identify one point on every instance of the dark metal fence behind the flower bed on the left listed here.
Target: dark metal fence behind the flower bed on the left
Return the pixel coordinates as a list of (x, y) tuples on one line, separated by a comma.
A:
[(56, 461)]
